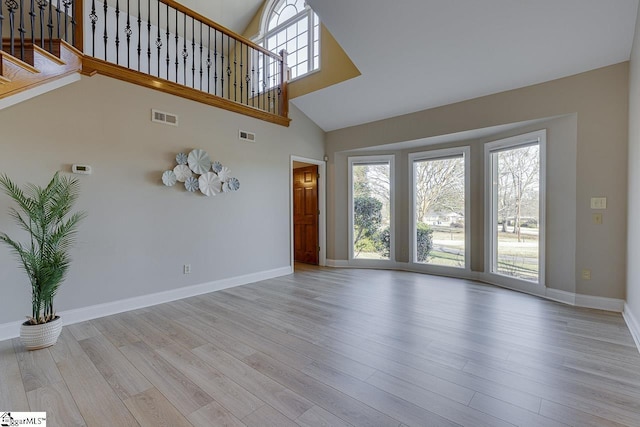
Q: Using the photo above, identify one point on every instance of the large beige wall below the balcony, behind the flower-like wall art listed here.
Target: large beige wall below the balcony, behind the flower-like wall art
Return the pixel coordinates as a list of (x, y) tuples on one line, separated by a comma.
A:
[(139, 233)]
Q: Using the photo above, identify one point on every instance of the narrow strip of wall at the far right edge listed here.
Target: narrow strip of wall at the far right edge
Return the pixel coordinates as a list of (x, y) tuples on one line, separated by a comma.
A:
[(633, 246)]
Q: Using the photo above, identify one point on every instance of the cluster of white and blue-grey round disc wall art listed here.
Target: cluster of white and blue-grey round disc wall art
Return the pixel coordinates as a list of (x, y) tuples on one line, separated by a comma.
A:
[(198, 173)]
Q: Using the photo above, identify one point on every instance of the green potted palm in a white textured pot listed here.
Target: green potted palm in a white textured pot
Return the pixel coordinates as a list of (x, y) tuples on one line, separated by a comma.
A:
[(45, 214)]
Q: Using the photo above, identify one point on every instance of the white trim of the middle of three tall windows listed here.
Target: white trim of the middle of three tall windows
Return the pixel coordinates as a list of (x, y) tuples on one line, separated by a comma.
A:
[(434, 155)]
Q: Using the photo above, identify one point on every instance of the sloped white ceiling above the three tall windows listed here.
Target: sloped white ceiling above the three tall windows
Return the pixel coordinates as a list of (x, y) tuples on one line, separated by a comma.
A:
[(419, 54)]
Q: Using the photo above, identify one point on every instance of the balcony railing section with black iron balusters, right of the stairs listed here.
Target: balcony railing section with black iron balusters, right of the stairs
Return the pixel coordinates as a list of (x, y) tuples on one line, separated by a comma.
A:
[(163, 45)]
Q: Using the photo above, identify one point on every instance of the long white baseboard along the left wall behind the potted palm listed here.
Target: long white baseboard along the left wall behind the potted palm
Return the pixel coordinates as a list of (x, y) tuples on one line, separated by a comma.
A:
[(12, 329)]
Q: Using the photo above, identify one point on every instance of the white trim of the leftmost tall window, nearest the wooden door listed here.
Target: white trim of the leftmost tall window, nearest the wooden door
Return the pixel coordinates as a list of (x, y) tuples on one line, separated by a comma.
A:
[(392, 236)]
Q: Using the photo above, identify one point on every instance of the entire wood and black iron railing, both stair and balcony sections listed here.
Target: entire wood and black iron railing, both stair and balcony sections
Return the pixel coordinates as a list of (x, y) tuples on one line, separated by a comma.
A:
[(159, 44)]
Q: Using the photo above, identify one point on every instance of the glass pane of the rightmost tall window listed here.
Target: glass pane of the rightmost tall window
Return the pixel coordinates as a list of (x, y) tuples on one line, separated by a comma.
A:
[(516, 180)]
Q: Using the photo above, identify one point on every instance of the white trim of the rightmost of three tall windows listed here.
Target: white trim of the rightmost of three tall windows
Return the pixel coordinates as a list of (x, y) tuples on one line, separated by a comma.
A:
[(490, 241)]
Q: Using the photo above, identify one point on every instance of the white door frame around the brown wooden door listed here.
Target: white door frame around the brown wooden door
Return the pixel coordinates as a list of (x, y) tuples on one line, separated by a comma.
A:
[(322, 207)]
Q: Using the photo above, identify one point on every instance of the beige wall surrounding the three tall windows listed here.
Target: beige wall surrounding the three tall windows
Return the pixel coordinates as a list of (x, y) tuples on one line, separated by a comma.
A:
[(587, 148)]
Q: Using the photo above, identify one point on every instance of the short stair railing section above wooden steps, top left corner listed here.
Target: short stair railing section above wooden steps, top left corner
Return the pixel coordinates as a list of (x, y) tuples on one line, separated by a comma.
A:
[(39, 22)]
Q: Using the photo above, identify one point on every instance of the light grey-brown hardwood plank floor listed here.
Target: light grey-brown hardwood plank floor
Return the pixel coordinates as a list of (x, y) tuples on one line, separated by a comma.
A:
[(326, 347)]
